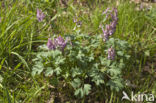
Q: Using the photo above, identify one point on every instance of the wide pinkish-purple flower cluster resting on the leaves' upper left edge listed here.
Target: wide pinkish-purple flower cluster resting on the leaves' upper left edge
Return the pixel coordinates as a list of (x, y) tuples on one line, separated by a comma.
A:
[(58, 42)]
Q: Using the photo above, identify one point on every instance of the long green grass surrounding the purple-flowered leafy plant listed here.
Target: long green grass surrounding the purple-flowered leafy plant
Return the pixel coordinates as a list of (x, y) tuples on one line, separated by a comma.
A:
[(21, 34)]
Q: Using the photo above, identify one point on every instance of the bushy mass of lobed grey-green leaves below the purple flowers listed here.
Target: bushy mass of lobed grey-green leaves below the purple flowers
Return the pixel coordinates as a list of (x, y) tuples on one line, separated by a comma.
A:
[(84, 62)]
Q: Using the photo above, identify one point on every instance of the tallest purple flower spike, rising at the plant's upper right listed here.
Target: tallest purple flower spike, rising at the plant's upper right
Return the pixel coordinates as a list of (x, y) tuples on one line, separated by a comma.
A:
[(110, 28)]
